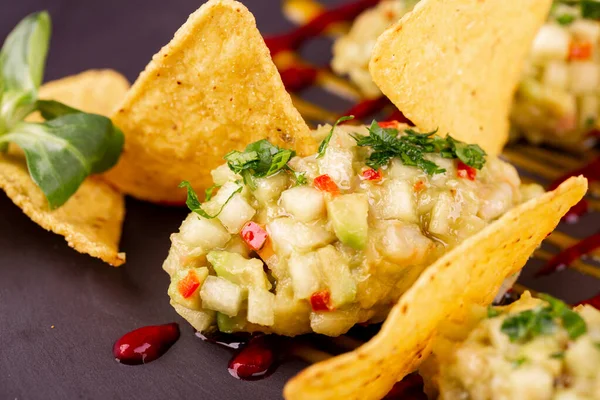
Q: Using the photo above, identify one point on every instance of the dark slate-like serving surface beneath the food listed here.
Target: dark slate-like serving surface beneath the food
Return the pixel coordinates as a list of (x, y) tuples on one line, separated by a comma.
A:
[(44, 283)]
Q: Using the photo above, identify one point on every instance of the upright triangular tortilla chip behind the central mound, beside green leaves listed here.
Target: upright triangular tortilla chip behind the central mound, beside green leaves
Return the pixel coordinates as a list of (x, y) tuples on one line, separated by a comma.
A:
[(213, 89)]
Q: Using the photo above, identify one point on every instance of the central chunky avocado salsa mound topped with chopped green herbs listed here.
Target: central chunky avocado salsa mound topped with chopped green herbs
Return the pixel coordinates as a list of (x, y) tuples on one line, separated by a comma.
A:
[(289, 245)]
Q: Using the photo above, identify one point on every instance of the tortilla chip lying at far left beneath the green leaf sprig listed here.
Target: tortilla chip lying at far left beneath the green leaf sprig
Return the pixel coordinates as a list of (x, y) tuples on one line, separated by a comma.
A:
[(91, 220)]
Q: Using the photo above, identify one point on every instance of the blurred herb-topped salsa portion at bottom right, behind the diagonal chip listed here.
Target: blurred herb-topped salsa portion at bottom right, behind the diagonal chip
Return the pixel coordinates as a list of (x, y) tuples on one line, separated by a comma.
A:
[(532, 349)]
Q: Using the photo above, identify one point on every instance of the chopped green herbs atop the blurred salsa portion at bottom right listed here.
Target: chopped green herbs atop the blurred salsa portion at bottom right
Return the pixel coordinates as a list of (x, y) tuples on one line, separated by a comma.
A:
[(528, 324)]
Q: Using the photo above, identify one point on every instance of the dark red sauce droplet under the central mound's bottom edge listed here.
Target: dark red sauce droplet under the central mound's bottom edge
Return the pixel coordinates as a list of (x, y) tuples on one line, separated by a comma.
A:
[(255, 361)]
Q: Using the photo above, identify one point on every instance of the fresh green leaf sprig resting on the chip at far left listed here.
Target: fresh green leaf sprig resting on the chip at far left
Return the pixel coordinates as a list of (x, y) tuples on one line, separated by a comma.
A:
[(70, 145)]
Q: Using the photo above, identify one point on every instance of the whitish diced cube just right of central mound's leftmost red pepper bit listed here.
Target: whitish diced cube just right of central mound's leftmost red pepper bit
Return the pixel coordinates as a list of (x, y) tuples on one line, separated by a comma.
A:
[(219, 294)]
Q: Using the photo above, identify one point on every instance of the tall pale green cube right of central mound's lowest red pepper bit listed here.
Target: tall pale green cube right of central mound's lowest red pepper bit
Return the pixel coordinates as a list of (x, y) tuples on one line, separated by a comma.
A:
[(338, 278)]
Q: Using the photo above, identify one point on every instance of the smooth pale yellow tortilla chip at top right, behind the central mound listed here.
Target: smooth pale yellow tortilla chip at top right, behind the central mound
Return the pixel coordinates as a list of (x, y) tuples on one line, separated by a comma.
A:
[(455, 64)]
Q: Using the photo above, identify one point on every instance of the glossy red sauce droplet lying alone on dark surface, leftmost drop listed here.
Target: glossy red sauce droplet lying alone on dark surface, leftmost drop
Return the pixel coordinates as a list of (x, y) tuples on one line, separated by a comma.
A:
[(146, 344)]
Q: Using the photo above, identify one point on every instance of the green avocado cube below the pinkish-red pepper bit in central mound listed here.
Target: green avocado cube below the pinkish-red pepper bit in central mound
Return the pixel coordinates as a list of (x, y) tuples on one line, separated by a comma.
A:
[(248, 273)]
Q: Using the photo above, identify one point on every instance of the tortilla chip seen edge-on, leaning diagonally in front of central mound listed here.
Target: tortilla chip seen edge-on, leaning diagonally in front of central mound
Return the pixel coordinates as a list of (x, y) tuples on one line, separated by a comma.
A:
[(470, 274)]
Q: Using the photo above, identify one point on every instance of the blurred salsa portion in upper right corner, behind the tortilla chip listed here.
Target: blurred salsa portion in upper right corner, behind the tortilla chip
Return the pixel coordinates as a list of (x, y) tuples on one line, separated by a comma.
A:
[(558, 99)]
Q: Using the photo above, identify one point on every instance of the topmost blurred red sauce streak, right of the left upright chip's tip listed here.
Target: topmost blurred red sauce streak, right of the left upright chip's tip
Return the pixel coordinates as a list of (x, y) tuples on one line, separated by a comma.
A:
[(294, 39)]
